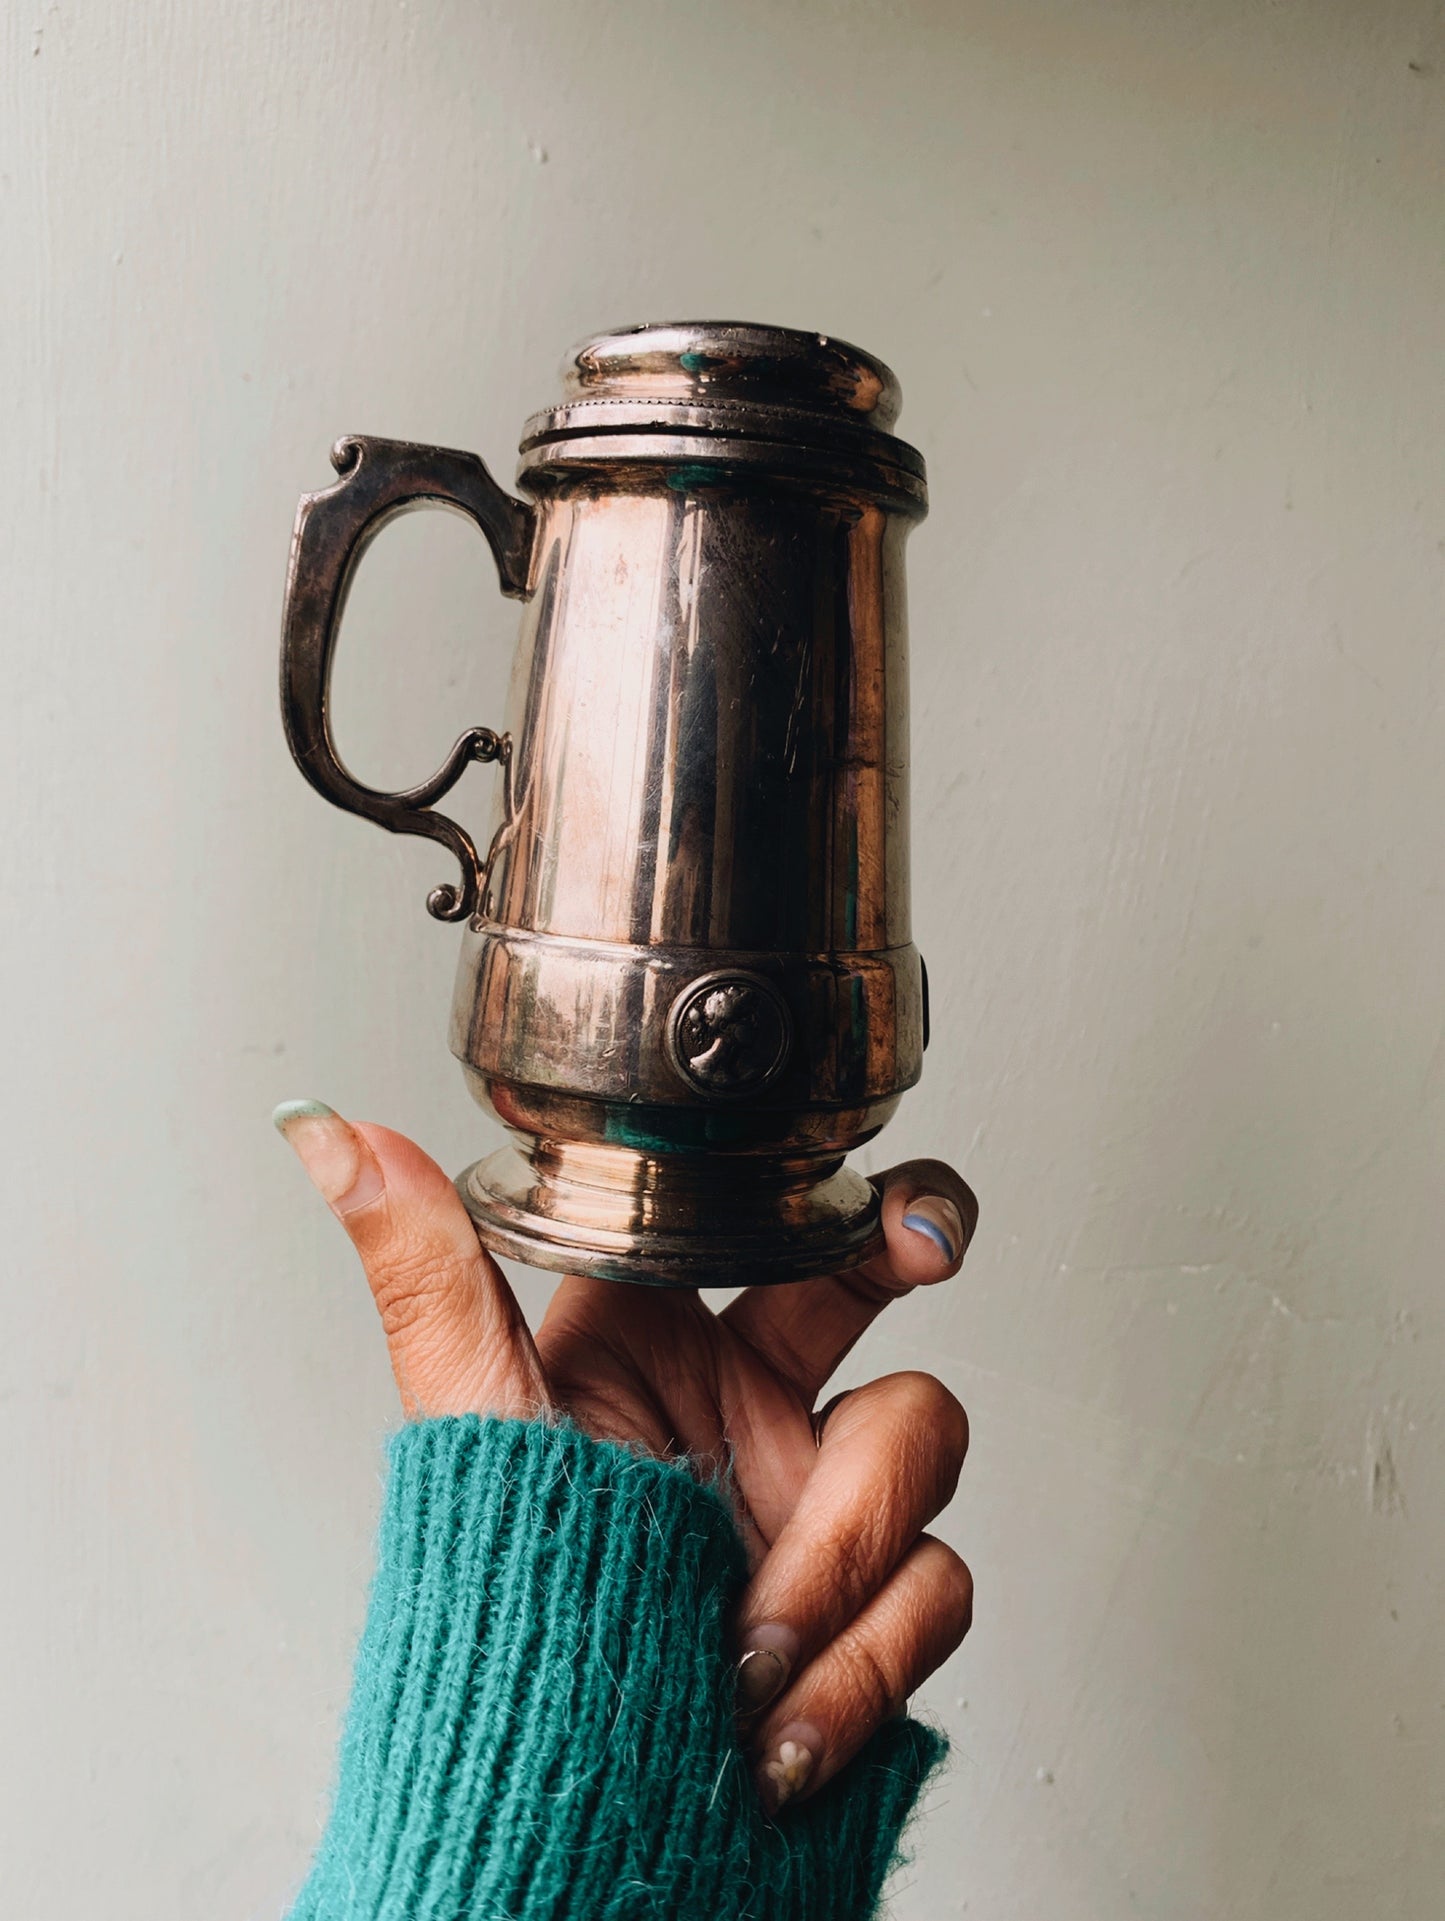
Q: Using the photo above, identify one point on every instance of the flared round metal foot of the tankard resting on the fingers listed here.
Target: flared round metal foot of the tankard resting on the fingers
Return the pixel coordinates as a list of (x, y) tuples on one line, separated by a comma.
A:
[(695, 1223)]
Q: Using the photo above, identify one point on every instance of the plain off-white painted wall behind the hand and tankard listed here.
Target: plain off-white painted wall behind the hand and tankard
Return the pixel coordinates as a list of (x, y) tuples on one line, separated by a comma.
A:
[(1165, 285)]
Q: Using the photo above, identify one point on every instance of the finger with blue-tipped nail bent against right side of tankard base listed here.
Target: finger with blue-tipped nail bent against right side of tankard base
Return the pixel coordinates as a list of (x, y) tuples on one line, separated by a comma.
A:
[(929, 1219)]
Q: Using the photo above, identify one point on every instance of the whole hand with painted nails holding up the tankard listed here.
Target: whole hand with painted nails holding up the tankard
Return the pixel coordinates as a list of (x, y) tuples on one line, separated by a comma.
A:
[(850, 1603)]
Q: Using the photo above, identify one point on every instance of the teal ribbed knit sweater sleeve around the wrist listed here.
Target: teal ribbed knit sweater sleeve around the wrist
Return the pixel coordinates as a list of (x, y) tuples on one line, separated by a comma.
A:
[(541, 1720)]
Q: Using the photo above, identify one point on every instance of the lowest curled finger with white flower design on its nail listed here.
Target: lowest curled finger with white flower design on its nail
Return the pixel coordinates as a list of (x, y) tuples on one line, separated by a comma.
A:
[(866, 1676)]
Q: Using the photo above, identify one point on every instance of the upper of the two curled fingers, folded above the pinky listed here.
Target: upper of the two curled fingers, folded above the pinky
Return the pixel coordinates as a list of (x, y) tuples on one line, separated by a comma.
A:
[(887, 1465)]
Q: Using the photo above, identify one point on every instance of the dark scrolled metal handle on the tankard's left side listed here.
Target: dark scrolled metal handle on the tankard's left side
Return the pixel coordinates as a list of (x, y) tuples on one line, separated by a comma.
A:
[(381, 479)]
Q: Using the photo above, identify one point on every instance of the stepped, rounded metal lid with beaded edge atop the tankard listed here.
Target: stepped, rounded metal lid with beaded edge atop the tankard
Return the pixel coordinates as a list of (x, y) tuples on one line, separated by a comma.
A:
[(727, 395)]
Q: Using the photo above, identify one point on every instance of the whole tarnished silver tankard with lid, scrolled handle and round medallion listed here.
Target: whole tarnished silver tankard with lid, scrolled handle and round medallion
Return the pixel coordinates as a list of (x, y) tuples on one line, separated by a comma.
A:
[(687, 983)]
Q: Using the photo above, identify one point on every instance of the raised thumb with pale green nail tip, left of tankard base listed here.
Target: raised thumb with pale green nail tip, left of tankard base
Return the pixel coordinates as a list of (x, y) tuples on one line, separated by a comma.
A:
[(454, 1332)]
